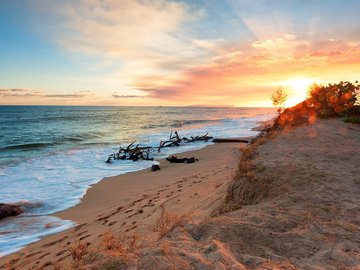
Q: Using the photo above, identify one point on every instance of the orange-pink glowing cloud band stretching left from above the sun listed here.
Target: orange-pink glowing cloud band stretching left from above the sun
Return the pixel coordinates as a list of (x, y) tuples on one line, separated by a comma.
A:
[(230, 74)]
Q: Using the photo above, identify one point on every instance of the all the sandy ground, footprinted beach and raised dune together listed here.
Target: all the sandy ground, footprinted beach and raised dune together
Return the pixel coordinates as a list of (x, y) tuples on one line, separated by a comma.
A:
[(296, 205)]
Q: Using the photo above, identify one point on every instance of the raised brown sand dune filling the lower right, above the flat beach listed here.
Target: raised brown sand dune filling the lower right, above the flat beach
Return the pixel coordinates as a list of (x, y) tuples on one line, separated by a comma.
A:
[(309, 218)]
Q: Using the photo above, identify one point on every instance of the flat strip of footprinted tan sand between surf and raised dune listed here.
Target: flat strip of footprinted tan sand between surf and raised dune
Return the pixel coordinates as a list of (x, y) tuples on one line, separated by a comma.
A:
[(125, 191)]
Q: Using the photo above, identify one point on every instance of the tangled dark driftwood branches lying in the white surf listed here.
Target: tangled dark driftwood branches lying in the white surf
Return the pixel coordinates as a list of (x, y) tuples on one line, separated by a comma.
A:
[(137, 152)]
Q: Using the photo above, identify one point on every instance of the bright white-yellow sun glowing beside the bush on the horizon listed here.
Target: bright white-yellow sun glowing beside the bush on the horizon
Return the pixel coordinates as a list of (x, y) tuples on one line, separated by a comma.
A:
[(297, 90)]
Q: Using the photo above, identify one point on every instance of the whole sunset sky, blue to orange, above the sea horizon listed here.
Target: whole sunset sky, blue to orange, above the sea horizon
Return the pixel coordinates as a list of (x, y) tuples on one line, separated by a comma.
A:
[(173, 53)]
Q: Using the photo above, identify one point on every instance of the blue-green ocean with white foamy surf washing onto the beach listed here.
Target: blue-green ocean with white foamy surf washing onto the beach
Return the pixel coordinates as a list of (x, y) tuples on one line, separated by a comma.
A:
[(50, 155)]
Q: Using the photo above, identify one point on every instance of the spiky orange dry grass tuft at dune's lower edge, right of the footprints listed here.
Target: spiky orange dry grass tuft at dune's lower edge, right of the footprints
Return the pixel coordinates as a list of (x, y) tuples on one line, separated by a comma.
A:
[(169, 221)]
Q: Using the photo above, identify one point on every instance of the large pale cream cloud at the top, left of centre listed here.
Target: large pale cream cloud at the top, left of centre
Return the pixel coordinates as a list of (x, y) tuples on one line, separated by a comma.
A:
[(146, 33)]
